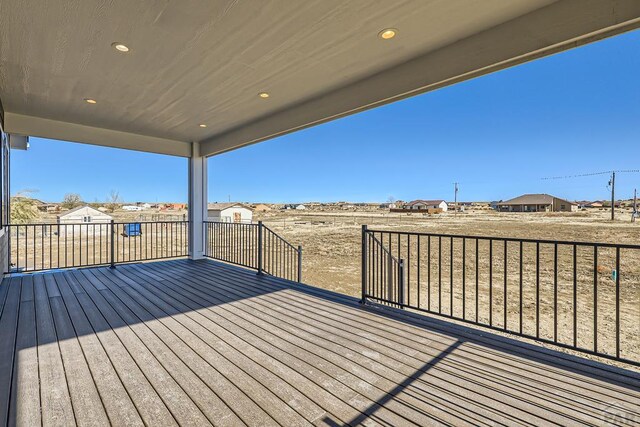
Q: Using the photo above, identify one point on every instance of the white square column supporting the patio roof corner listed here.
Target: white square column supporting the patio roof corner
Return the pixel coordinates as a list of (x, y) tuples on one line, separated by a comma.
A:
[(197, 202)]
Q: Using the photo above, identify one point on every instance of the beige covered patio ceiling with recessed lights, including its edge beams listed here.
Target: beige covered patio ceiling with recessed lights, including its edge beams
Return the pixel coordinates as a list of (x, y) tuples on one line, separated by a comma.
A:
[(195, 69)]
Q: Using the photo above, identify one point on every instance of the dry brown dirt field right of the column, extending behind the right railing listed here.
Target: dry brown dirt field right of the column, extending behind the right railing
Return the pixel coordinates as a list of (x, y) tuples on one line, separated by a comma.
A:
[(331, 259)]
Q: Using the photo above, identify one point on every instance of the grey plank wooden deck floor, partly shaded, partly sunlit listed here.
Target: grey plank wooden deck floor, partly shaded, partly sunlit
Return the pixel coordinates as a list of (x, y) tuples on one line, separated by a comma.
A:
[(198, 343)]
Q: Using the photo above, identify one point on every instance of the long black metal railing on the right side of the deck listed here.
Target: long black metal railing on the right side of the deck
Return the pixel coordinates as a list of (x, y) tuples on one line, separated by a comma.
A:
[(578, 295)]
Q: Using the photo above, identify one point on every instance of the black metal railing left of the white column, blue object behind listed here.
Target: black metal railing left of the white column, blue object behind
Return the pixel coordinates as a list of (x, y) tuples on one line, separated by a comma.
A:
[(36, 247)]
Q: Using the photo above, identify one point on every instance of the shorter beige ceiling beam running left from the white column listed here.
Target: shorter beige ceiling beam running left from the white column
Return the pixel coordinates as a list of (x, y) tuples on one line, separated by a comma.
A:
[(64, 131)]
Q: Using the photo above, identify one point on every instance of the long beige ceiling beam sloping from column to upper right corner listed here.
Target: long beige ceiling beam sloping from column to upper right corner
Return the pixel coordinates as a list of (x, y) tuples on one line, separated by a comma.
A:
[(560, 26)]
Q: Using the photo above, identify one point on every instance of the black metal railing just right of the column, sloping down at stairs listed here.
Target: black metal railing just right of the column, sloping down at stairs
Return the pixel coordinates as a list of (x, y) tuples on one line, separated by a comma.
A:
[(254, 246)]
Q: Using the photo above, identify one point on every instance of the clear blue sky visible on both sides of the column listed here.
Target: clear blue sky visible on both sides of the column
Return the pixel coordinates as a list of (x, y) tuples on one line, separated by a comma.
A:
[(498, 135)]
